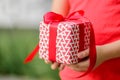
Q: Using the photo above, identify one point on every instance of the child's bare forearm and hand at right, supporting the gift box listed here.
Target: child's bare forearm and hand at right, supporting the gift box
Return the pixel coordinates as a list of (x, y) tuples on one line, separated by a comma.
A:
[(104, 52)]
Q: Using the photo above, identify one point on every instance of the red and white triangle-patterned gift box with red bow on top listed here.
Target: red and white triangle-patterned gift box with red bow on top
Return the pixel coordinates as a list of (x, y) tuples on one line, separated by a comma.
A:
[(62, 38)]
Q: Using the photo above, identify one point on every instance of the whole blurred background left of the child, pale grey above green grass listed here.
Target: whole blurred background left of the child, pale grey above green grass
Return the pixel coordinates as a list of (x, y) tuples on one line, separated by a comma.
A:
[(19, 34)]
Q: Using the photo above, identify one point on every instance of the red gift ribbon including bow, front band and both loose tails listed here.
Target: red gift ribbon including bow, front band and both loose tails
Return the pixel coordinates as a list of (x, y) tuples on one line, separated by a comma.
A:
[(54, 19)]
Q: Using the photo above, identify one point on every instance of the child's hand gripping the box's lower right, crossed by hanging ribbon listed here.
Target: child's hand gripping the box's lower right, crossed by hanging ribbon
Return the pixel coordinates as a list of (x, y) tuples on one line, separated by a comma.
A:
[(83, 65)]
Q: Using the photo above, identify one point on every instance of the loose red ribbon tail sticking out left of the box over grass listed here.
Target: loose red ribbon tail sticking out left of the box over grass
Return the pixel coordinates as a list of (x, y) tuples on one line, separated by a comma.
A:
[(31, 55)]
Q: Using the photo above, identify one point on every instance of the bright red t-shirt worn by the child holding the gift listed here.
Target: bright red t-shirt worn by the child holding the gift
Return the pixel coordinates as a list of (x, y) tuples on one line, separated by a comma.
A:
[(105, 17)]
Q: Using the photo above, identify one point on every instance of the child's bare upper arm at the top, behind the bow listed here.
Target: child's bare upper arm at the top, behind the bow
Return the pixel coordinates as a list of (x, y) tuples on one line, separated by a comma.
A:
[(60, 7)]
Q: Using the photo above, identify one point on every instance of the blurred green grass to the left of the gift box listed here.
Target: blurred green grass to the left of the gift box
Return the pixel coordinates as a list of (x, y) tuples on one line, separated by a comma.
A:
[(15, 45)]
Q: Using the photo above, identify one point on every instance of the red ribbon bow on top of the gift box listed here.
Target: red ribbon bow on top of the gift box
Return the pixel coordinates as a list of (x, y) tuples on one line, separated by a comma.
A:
[(54, 17)]
